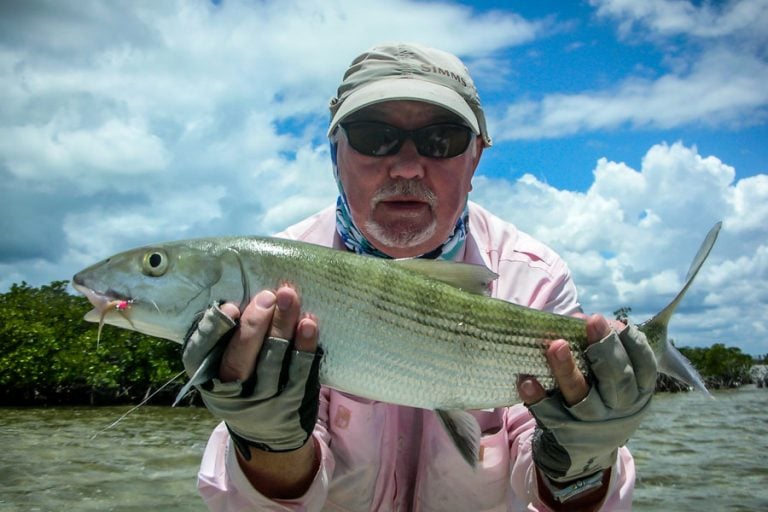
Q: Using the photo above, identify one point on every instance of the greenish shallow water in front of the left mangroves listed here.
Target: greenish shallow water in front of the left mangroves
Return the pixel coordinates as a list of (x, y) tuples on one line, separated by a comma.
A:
[(48, 460)]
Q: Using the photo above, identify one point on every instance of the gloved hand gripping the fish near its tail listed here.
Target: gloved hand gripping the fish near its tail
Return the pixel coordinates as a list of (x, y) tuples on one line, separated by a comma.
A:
[(581, 426)]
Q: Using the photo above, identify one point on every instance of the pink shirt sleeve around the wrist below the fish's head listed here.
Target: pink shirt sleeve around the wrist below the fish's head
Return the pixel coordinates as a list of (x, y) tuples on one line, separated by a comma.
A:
[(224, 487)]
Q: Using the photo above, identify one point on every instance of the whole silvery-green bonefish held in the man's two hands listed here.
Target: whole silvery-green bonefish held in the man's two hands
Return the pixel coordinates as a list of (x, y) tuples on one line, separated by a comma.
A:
[(414, 332)]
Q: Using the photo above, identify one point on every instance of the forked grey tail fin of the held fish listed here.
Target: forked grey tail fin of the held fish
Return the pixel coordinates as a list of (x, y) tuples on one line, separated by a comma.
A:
[(670, 360)]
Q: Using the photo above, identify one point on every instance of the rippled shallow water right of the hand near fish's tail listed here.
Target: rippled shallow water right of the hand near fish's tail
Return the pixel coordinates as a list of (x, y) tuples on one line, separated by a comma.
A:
[(697, 454)]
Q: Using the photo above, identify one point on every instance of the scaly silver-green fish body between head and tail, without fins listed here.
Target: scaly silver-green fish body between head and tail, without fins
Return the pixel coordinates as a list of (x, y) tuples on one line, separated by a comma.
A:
[(393, 335)]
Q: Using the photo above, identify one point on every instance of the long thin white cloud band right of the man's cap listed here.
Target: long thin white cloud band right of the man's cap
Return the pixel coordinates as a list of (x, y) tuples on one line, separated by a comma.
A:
[(723, 86)]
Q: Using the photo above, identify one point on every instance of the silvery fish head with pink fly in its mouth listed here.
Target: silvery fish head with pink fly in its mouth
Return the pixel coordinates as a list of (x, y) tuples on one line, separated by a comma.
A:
[(157, 290)]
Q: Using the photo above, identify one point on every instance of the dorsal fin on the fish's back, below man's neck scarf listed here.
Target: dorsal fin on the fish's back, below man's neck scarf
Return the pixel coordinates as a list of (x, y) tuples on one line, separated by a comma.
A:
[(465, 276)]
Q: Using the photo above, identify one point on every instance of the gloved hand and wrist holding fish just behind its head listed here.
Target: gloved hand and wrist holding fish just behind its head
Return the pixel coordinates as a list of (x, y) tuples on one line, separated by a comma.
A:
[(267, 390)]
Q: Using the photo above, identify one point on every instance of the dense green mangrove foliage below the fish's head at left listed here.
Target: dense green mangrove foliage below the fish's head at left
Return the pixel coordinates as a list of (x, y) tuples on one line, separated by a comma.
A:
[(50, 354)]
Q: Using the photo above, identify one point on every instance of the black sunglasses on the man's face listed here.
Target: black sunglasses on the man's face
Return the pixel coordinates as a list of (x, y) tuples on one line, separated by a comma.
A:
[(441, 140)]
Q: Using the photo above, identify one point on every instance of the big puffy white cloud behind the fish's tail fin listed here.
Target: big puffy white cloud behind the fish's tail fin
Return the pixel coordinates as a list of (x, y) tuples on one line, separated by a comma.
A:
[(630, 237)]
